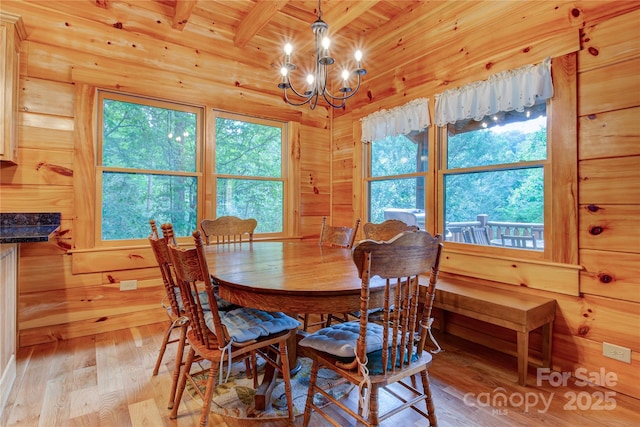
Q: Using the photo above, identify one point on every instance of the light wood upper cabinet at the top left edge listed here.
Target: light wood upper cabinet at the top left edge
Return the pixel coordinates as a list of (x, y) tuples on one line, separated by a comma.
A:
[(12, 33)]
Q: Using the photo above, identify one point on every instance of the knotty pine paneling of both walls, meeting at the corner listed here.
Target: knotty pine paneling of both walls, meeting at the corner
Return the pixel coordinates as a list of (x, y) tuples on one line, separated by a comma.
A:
[(64, 59)]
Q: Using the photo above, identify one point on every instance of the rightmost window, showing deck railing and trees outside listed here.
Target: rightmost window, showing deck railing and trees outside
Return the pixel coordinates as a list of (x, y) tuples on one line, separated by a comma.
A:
[(493, 179)]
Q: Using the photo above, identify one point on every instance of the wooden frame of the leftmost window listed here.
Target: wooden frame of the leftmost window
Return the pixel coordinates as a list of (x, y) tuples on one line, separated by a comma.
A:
[(100, 169)]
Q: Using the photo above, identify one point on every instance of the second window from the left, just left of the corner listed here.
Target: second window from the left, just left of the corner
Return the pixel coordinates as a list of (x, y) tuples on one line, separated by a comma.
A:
[(250, 170)]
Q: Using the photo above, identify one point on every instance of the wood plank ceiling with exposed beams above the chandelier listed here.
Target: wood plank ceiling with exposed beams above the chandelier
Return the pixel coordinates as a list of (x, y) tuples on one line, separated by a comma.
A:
[(249, 35)]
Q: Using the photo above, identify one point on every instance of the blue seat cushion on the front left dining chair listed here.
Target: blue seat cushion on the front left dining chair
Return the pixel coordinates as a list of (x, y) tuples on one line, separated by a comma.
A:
[(246, 324)]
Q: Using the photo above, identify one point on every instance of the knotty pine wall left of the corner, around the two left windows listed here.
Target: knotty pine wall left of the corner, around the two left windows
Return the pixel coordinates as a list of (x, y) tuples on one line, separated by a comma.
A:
[(69, 287)]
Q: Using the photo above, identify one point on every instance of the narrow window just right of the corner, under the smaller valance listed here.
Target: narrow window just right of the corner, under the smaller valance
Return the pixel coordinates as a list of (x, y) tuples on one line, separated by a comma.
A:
[(396, 180)]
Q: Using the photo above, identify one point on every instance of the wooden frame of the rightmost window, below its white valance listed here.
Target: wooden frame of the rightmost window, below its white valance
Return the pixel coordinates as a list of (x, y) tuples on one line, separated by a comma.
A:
[(561, 182)]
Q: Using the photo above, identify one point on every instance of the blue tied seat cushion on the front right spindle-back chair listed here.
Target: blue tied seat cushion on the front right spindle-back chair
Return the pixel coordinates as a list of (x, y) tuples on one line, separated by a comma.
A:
[(340, 339)]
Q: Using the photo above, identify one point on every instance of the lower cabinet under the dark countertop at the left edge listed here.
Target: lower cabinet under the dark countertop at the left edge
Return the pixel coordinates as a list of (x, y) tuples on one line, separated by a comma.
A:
[(8, 315)]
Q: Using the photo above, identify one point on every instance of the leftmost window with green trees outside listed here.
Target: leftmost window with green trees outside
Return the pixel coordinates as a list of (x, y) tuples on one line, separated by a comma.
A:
[(148, 166)]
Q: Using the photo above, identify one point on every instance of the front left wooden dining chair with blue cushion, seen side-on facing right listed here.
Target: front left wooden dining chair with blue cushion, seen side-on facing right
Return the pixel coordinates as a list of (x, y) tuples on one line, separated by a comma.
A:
[(218, 336)]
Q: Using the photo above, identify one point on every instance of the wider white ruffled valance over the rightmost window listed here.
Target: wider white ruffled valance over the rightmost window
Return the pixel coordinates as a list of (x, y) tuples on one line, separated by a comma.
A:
[(506, 91)]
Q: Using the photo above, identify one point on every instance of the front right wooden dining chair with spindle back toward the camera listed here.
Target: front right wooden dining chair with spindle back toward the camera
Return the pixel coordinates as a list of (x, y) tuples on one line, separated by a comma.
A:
[(373, 356)]
